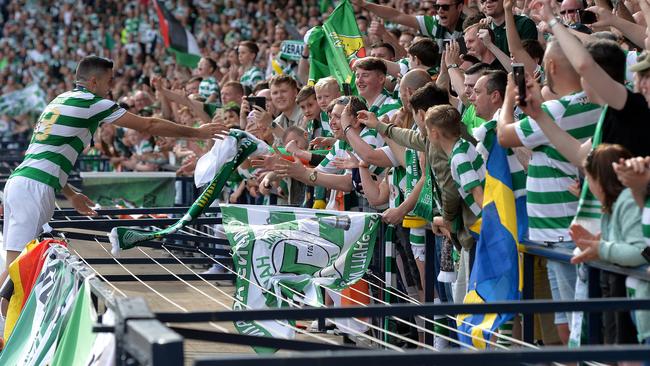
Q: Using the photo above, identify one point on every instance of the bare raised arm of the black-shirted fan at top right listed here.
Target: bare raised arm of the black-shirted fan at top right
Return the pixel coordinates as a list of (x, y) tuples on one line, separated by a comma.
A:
[(609, 90)]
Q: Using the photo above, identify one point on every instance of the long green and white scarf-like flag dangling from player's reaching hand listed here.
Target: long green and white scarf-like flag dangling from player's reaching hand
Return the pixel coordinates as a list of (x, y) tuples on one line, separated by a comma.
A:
[(214, 168)]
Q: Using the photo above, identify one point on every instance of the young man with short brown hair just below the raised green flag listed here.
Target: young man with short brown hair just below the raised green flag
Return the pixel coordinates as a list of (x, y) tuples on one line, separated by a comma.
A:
[(370, 78)]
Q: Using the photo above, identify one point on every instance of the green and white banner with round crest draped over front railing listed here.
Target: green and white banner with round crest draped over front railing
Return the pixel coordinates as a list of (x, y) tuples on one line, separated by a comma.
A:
[(280, 252)]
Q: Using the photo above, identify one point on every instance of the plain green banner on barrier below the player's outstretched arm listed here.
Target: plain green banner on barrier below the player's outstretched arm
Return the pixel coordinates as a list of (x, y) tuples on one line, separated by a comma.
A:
[(130, 189)]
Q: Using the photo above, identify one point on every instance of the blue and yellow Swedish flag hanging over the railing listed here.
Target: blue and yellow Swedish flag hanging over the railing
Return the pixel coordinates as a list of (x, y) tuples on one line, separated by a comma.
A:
[(496, 274)]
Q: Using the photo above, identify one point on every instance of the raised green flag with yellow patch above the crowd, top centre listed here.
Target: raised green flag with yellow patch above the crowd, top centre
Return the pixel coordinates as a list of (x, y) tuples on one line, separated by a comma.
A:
[(335, 45)]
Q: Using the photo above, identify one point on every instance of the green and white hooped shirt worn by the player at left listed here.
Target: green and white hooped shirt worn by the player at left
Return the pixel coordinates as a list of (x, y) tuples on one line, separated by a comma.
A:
[(63, 130)]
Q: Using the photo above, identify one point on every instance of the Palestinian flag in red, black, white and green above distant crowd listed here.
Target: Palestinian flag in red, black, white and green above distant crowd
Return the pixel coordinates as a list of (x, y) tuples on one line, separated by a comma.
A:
[(177, 38)]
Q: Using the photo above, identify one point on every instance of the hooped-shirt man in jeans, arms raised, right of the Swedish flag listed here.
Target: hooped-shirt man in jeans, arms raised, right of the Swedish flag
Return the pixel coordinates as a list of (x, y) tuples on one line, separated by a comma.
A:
[(551, 206)]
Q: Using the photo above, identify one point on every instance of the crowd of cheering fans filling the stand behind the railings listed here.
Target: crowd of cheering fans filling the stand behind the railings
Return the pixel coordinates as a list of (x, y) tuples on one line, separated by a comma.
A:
[(434, 96)]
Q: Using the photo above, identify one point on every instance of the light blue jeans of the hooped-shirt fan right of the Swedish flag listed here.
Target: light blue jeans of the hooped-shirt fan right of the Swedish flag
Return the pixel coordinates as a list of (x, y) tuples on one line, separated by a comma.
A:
[(562, 279)]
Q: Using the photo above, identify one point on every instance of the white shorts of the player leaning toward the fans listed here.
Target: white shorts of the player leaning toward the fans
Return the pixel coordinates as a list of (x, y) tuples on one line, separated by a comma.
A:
[(28, 205)]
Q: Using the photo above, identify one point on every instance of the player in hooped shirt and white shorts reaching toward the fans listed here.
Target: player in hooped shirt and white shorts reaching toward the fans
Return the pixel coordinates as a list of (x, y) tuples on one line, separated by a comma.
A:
[(63, 130)]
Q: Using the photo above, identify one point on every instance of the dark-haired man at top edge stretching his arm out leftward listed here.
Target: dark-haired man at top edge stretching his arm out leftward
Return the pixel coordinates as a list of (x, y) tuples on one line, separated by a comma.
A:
[(447, 24)]
